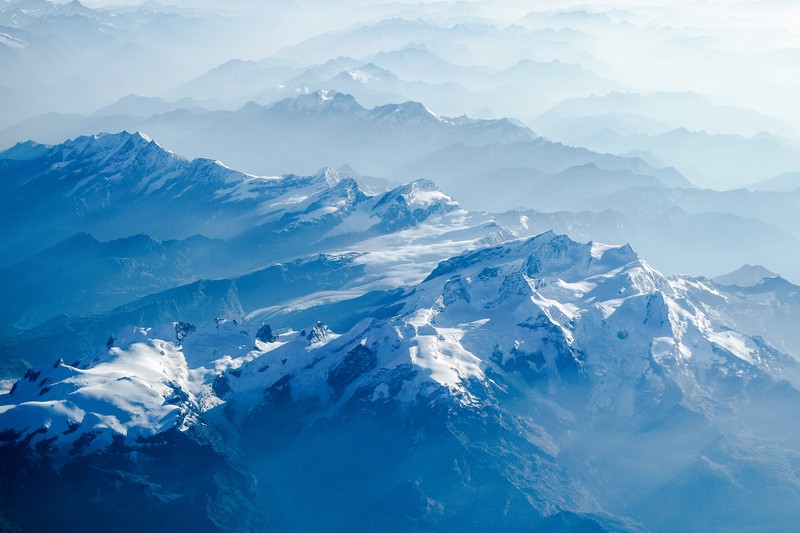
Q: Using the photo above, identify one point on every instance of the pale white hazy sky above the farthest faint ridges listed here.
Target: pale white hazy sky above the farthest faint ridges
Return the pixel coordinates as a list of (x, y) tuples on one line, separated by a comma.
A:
[(740, 53)]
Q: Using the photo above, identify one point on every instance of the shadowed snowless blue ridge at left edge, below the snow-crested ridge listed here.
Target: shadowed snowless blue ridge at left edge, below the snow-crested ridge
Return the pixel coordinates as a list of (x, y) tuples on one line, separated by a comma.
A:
[(55, 281)]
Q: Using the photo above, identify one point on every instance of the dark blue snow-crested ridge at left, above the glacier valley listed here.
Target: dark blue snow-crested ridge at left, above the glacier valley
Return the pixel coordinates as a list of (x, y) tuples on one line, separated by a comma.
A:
[(117, 185)]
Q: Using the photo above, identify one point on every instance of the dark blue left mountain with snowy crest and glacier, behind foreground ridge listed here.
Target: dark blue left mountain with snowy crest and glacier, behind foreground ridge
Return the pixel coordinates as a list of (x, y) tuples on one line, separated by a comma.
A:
[(123, 187)]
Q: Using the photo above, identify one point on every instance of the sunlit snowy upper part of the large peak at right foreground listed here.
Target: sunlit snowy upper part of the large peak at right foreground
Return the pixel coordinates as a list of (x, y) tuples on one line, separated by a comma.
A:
[(491, 306)]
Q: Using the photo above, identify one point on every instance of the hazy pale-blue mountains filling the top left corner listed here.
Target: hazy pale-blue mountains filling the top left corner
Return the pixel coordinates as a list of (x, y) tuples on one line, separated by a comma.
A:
[(67, 57)]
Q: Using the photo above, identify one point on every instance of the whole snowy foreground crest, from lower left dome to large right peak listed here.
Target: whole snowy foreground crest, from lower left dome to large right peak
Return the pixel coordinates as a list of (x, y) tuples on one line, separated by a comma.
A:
[(545, 306)]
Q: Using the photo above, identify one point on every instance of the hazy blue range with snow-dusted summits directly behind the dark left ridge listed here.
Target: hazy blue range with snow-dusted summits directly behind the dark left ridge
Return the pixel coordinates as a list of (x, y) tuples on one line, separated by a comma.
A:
[(395, 141)]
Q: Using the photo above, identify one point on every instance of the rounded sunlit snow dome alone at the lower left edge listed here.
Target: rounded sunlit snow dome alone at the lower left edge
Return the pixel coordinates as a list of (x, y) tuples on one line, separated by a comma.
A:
[(140, 389)]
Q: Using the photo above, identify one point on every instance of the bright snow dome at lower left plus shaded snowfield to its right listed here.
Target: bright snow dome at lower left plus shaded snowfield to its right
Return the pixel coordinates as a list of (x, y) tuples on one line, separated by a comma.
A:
[(154, 381)]
